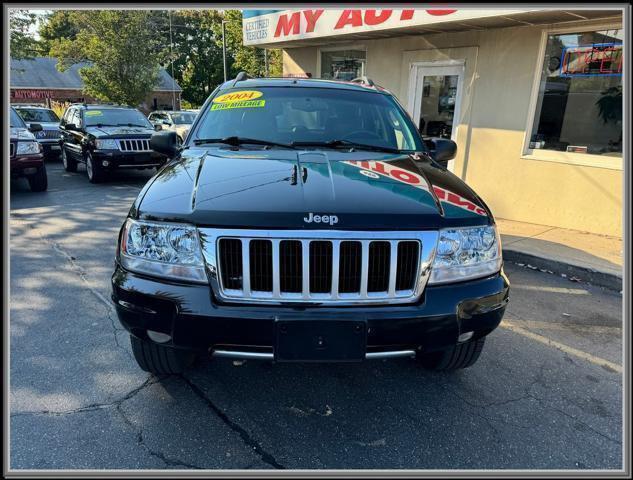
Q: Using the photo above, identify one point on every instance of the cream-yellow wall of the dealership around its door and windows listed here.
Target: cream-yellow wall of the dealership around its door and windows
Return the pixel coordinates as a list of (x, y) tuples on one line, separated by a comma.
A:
[(501, 65)]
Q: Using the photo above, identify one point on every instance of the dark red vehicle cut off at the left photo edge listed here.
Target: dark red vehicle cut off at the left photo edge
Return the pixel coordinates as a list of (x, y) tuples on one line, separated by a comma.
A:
[(25, 154)]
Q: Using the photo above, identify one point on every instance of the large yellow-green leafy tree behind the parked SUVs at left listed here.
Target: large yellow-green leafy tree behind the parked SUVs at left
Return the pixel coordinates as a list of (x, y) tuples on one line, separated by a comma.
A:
[(123, 53)]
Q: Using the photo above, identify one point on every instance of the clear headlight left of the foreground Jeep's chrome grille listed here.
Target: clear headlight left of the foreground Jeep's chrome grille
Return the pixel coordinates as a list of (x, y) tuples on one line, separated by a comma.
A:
[(163, 250)]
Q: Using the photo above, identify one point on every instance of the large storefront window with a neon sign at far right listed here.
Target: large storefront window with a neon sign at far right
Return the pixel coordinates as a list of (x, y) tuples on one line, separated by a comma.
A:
[(579, 107)]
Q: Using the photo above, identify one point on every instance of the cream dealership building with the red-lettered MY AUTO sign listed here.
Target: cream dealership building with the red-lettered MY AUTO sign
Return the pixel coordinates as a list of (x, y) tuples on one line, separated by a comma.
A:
[(533, 98)]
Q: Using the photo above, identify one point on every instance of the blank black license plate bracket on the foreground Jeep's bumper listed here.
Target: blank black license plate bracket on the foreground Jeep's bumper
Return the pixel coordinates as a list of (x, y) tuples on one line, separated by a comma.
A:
[(320, 340)]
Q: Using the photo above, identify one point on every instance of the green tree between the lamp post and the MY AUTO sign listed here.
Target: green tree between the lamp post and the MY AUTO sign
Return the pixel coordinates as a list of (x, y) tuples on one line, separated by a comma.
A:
[(248, 59)]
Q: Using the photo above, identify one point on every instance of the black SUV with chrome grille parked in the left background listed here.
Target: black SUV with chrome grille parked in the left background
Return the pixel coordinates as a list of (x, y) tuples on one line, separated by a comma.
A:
[(105, 138)]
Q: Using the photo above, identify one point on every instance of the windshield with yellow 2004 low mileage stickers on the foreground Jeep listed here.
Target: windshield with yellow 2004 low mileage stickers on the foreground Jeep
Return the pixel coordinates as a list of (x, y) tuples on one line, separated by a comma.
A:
[(310, 116)]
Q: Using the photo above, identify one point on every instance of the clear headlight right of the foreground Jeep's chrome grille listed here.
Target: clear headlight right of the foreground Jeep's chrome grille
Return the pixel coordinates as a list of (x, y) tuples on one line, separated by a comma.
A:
[(465, 253)]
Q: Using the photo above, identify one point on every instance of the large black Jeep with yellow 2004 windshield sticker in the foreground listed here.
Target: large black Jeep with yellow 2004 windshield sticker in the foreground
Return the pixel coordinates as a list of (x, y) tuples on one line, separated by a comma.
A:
[(305, 220)]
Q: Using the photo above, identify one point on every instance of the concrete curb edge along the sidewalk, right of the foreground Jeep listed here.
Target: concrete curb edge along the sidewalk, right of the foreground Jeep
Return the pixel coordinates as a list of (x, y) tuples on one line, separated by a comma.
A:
[(586, 274)]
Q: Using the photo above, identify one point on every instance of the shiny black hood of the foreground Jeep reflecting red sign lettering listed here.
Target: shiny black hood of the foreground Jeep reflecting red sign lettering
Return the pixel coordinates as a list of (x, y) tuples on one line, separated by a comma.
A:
[(280, 188)]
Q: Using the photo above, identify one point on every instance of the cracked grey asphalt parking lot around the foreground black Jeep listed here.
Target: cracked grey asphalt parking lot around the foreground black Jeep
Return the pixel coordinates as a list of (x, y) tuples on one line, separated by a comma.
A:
[(545, 394)]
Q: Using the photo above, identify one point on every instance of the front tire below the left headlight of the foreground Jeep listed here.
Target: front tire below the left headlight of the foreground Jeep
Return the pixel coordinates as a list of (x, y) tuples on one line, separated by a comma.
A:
[(160, 359)]
